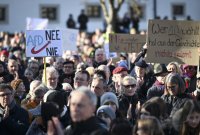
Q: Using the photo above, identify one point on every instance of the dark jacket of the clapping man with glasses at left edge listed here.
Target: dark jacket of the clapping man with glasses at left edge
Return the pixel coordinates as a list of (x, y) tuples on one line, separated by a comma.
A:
[(16, 123)]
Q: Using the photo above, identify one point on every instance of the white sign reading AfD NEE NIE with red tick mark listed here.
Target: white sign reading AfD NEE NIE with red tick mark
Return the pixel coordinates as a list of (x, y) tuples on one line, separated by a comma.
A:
[(41, 43)]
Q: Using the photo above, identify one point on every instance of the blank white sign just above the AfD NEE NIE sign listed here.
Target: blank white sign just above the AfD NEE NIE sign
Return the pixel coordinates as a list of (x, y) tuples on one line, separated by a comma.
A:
[(36, 23)]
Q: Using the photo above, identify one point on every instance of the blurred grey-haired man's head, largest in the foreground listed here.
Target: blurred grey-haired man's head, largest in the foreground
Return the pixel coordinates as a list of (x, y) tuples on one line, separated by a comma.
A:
[(82, 104)]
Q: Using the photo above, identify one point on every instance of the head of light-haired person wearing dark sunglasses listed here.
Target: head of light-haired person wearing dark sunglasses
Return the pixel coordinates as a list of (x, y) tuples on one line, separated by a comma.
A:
[(129, 86)]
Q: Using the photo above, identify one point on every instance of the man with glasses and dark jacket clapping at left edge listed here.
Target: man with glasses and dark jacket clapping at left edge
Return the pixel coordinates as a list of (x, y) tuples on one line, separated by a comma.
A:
[(14, 120)]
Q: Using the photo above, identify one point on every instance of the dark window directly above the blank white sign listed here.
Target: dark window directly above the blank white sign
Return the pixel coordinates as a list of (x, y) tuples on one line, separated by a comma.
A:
[(50, 12)]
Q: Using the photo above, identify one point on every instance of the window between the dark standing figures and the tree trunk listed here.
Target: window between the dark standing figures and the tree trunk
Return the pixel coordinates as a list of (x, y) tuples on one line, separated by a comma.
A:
[(93, 11)]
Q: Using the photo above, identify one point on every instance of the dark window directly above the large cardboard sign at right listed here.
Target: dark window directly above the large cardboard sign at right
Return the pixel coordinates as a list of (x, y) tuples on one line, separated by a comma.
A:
[(178, 10)]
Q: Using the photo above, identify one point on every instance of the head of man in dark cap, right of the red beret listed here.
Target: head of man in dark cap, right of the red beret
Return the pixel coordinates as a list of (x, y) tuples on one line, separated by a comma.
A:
[(140, 68)]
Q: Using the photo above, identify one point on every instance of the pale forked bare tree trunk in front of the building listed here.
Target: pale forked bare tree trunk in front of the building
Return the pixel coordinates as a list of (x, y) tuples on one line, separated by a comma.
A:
[(111, 12)]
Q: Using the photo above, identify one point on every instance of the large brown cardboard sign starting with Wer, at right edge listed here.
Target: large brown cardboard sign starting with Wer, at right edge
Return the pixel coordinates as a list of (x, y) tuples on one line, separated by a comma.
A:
[(173, 41)]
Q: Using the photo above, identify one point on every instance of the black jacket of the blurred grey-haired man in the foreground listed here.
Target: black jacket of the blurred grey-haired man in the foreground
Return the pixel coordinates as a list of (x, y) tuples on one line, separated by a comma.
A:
[(88, 127)]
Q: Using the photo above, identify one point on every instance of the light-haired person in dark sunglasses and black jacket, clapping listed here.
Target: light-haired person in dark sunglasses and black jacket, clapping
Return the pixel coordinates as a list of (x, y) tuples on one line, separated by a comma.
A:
[(128, 98)]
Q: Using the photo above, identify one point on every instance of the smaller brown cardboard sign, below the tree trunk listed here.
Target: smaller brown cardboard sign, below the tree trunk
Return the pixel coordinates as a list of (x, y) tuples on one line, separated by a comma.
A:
[(126, 42)]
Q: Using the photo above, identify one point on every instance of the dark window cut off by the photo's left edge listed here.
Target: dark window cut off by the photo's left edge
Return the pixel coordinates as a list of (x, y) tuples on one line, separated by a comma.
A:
[(3, 13)]
